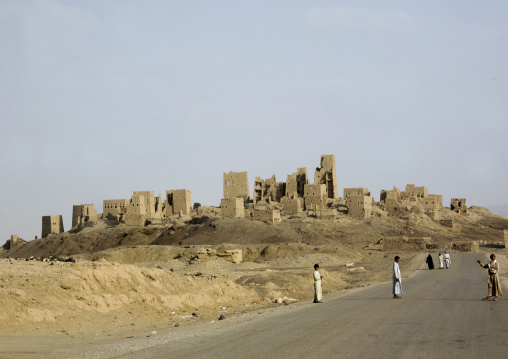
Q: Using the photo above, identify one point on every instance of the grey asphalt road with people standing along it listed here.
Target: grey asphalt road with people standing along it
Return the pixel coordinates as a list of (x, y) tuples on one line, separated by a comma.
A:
[(441, 315)]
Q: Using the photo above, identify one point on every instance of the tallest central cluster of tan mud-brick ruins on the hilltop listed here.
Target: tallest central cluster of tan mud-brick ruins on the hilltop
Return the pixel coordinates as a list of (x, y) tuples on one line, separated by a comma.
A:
[(271, 199)]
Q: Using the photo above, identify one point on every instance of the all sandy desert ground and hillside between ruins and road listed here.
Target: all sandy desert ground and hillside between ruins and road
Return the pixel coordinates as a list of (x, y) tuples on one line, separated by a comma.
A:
[(113, 282)]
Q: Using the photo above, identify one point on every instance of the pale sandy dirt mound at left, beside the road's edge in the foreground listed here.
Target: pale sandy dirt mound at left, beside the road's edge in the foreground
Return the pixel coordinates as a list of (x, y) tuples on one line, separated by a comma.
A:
[(76, 297)]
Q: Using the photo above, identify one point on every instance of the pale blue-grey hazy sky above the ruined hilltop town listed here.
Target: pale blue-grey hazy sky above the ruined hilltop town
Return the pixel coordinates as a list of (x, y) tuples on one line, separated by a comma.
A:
[(102, 98)]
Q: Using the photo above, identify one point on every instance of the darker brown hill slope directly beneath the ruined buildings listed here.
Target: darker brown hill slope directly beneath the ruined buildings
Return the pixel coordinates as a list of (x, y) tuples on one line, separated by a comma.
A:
[(196, 231)]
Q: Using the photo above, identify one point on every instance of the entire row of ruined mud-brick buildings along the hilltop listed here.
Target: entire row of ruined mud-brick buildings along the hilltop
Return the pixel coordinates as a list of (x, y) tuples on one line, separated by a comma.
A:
[(270, 199)]
